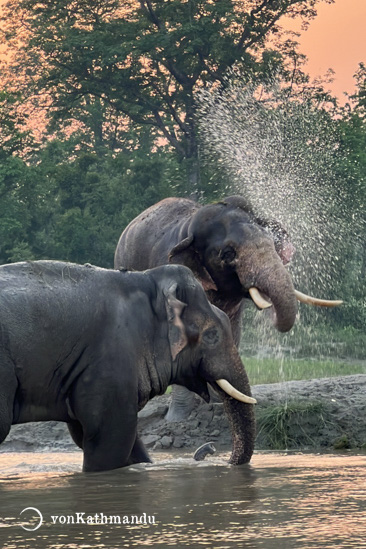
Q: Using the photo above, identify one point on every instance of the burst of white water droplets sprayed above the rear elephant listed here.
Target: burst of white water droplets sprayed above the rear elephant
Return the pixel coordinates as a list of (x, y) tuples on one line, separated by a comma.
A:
[(282, 155)]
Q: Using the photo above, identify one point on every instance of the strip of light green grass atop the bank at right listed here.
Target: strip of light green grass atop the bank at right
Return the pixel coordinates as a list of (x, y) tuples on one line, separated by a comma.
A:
[(272, 370)]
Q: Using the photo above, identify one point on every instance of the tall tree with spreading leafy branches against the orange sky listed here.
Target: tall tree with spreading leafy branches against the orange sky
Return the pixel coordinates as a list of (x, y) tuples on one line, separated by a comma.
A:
[(97, 60)]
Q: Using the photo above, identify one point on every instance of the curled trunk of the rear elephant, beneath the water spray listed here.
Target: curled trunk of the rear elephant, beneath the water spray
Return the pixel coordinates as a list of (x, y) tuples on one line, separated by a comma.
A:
[(272, 279)]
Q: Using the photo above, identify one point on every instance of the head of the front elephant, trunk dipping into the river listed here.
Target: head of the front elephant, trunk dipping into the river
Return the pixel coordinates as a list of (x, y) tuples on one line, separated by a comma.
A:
[(204, 354)]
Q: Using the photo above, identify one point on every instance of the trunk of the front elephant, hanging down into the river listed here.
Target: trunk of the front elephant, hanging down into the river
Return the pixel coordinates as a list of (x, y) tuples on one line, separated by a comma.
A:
[(240, 415)]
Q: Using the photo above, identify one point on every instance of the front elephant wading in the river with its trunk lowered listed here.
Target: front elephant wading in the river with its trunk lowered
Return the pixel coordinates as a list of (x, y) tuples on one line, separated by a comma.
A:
[(90, 346)]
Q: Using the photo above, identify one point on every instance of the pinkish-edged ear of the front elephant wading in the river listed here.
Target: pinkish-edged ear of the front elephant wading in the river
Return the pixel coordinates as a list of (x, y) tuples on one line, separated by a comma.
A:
[(176, 330)]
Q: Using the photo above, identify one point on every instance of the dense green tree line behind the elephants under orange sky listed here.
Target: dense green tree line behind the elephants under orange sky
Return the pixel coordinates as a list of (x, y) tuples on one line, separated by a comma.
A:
[(99, 119)]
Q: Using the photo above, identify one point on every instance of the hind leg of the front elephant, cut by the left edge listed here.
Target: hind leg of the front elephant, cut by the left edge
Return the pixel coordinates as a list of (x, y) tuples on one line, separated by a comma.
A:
[(8, 387)]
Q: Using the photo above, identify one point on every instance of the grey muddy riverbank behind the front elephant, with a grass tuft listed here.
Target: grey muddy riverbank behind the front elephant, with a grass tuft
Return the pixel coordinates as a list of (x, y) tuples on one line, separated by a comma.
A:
[(317, 414)]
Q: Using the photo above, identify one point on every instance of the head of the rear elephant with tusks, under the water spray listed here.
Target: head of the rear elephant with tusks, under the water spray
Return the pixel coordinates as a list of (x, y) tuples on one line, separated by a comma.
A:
[(234, 253)]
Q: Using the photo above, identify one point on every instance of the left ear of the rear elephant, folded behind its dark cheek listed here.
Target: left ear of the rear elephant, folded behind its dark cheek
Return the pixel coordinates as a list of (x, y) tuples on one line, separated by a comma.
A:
[(185, 254)]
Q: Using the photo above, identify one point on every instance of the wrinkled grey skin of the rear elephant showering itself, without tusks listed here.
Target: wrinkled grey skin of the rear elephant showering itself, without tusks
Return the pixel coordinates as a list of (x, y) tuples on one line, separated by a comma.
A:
[(228, 249)]
